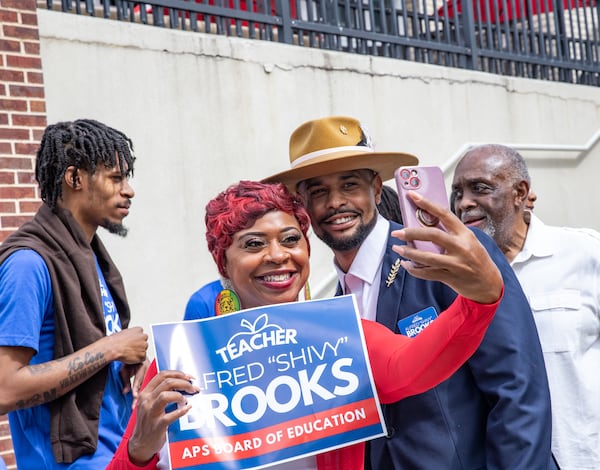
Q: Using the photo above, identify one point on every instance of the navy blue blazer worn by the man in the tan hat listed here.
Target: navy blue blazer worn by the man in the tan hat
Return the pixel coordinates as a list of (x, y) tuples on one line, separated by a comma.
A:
[(494, 412)]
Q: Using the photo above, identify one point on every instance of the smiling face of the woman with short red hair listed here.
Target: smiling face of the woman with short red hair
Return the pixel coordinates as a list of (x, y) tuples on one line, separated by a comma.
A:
[(267, 263)]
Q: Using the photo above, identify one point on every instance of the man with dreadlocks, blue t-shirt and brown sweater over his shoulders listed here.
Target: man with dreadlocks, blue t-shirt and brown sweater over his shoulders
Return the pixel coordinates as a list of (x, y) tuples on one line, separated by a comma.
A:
[(67, 357)]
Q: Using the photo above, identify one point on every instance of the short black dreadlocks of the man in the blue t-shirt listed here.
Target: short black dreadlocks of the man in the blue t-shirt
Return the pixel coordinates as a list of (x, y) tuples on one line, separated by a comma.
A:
[(85, 144)]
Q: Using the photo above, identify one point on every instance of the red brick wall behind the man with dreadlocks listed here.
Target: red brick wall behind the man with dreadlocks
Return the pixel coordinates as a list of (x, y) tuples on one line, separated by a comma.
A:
[(22, 121)]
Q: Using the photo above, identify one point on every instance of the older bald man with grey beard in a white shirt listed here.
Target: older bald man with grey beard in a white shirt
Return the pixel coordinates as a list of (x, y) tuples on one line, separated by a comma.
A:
[(559, 269)]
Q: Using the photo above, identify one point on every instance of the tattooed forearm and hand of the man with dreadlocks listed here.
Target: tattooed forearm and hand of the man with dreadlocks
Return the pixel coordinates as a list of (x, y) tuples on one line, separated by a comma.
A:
[(24, 386)]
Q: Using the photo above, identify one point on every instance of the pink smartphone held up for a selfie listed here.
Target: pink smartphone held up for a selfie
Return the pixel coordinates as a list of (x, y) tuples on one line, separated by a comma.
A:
[(429, 182)]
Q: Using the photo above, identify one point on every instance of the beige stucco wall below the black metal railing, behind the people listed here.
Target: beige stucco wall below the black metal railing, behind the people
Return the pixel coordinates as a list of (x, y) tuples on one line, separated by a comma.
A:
[(205, 111)]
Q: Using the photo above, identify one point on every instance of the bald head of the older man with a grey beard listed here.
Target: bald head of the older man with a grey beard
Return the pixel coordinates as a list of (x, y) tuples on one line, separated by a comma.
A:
[(489, 190)]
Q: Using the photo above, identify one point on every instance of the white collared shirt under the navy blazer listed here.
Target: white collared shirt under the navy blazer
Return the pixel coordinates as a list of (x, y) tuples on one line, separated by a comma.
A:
[(367, 267)]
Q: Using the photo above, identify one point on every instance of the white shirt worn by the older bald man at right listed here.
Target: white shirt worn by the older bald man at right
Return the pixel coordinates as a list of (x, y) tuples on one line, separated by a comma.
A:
[(559, 269)]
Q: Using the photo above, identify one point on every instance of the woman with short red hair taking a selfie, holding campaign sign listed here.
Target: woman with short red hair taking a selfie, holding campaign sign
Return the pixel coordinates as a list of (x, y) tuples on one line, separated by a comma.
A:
[(257, 235)]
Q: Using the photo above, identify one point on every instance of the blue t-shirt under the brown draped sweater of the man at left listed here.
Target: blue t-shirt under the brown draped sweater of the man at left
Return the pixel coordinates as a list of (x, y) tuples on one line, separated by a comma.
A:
[(27, 320)]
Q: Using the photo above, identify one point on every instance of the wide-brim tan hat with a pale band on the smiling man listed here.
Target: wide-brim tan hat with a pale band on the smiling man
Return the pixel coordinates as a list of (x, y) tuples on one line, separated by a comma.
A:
[(332, 144)]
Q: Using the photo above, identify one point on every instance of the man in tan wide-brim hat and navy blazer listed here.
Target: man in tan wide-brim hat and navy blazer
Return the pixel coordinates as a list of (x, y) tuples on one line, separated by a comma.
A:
[(494, 412)]
